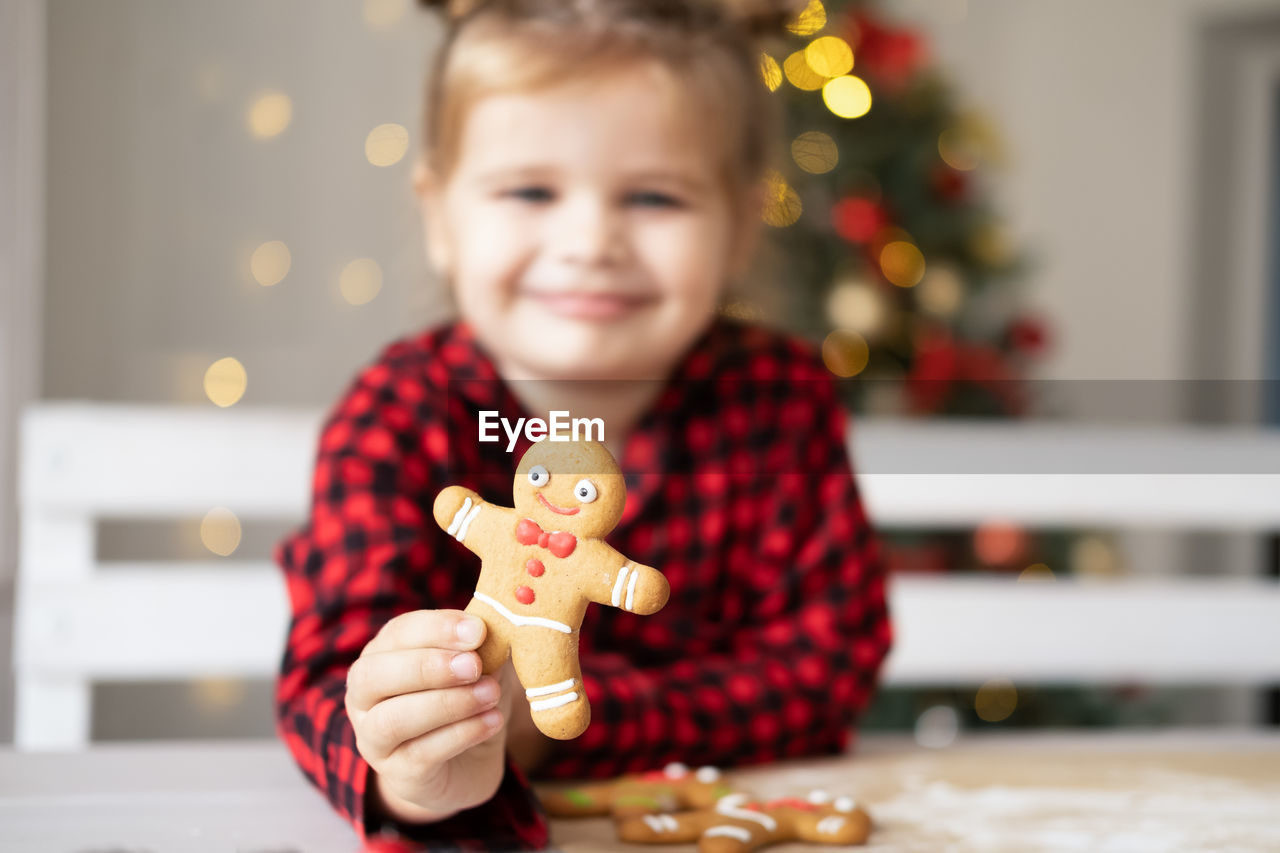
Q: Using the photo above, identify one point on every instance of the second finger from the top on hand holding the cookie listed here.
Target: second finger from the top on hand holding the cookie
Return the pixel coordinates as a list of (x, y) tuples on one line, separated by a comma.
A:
[(382, 676)]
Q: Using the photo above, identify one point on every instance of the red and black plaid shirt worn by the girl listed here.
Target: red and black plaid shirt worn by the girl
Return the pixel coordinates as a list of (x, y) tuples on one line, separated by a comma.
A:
[(740, 491)]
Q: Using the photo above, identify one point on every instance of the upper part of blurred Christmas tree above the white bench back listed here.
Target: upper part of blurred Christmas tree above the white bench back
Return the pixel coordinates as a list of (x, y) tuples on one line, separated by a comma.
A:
[(895, 258)]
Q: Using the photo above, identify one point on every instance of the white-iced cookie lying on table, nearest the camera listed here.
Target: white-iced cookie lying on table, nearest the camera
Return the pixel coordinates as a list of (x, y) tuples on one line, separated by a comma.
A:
[(738, 824)]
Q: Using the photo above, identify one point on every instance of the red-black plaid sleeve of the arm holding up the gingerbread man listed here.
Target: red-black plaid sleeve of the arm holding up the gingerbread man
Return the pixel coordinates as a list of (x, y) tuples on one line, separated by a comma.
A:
[(360, 560)]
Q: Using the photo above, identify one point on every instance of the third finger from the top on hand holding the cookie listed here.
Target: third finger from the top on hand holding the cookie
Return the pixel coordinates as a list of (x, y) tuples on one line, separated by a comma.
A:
[(403, 719)]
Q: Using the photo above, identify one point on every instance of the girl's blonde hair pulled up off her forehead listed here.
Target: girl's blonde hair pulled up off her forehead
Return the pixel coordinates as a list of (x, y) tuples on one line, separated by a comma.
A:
[(711, 47)]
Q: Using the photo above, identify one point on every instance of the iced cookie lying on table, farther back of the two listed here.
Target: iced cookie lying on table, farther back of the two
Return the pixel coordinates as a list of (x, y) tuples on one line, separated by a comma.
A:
[(675, 788)]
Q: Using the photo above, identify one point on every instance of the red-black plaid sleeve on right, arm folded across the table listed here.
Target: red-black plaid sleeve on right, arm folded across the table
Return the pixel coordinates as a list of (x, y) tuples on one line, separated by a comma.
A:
[(799, 669)]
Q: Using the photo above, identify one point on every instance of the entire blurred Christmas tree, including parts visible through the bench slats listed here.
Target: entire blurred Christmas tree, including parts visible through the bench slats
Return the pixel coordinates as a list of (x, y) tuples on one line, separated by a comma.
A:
[(897, 259)]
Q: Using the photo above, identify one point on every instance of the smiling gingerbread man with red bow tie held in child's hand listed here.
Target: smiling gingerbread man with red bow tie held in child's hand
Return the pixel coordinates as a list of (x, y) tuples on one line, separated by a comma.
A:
[(542, 563)]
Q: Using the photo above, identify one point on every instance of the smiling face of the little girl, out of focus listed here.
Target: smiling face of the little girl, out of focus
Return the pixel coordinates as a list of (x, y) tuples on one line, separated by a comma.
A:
[(586, 230)]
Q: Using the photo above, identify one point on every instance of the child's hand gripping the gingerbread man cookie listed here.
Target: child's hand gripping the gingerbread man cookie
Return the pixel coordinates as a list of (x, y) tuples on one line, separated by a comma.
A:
[(424, 719)]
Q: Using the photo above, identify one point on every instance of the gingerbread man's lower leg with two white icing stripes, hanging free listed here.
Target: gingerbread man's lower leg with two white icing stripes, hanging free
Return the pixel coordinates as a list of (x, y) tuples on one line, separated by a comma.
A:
[(550, 672)]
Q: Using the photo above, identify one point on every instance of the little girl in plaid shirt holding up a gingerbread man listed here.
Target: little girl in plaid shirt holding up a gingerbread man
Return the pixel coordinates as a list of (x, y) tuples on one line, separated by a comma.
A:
[(592, 184)]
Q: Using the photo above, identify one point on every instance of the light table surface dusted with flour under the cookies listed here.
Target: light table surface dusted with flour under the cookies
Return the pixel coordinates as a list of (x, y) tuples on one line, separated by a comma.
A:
[(1178, 791)]
